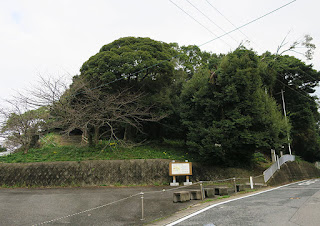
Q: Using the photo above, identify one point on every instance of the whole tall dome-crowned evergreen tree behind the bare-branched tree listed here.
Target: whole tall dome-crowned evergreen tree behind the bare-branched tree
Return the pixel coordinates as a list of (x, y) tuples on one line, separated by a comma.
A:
[(138, 65)]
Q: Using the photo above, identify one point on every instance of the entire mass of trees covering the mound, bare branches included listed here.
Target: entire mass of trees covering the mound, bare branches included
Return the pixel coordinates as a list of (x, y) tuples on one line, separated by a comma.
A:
[(224, 107)]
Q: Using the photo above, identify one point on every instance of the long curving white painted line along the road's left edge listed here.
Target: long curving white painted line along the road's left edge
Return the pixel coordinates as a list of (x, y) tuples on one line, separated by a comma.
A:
[(217, 204)]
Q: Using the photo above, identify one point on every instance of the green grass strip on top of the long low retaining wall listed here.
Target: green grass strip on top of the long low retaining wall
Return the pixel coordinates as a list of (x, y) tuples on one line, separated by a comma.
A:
[(111, 151)]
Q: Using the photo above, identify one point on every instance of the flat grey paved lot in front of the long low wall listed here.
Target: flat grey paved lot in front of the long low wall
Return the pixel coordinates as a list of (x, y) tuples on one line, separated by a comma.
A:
[(86, 206)]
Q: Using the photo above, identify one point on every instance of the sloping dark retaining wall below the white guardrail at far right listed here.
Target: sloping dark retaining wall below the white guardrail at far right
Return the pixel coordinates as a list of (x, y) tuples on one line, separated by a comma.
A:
[(294, 171)]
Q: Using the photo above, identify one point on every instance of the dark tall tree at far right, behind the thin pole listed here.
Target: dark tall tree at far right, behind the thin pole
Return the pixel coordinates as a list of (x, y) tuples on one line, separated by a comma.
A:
[(298, 80)]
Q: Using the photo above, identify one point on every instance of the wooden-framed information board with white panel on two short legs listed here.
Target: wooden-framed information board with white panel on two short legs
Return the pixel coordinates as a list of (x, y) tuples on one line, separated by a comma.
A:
[(180, 169)]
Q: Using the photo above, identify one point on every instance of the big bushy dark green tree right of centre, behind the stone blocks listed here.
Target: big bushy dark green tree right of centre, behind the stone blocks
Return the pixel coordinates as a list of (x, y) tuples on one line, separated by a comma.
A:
[(231, 118)]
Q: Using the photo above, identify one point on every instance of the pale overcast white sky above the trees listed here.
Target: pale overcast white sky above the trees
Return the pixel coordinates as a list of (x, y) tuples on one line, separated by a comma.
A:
[(55, 37)]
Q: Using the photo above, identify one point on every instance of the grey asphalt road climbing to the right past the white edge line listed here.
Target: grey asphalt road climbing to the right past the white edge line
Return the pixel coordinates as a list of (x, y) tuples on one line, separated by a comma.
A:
[(294, 204)]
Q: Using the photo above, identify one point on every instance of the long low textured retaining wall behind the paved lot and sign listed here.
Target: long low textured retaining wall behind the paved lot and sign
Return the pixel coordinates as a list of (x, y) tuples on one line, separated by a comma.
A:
[(104, 172)]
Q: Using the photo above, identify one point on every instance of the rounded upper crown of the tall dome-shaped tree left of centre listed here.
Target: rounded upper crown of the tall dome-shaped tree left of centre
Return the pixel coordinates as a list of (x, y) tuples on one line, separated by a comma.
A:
[(138, 62)]
